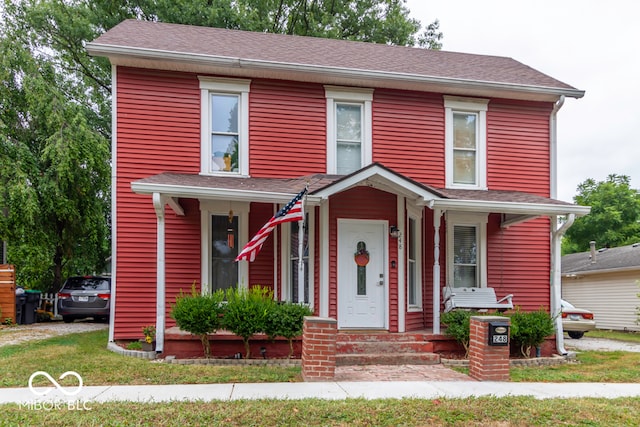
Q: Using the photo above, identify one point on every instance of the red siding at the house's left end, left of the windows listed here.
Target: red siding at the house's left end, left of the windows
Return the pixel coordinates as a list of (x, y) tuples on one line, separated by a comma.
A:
[(157, 113)]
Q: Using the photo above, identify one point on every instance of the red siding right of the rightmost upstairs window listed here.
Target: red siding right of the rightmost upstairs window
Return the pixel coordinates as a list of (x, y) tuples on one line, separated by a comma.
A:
[(518, 146)]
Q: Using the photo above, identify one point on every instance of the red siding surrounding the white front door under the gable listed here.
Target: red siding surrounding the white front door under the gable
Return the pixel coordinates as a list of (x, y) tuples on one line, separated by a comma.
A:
[(362, 203)]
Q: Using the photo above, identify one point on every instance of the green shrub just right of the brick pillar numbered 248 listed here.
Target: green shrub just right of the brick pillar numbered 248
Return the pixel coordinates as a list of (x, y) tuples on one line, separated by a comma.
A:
[(529, 329)]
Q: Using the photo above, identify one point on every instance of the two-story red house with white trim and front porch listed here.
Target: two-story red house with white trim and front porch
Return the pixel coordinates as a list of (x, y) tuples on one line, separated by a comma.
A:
[(440, 165)]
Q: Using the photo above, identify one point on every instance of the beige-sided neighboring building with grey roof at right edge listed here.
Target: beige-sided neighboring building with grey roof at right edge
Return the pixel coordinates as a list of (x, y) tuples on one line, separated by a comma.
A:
[(607, 282)]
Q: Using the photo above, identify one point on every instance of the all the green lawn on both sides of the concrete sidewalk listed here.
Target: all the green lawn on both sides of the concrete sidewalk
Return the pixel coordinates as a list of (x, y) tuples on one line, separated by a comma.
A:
[(86, 354)]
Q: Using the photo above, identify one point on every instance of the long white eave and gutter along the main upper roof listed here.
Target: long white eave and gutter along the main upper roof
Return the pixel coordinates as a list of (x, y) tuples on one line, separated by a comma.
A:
[(129, 56)]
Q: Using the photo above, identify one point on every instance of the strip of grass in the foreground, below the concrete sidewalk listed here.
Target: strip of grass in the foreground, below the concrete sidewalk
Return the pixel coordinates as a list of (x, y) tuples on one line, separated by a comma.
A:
[(487, 411)]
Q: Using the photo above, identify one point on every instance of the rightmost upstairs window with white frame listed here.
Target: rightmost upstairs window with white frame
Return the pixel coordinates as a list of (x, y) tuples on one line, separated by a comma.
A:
[(465, 141)]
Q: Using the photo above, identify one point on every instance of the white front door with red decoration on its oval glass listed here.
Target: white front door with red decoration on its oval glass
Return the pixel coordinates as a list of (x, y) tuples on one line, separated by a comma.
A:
[(361, 274)]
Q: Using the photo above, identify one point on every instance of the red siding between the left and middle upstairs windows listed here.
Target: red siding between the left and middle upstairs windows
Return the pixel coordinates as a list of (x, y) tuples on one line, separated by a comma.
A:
[(287, 134)]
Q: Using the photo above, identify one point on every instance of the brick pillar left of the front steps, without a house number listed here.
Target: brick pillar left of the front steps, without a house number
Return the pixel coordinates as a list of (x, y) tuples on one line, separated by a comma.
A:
[(319, 348)]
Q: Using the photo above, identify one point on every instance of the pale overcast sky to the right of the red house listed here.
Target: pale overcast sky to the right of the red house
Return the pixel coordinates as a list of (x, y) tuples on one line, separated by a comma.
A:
[(590, 45)]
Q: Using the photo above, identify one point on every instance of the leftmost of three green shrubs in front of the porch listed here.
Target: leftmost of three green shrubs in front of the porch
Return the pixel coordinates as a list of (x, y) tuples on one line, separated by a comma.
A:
[(199, 314)]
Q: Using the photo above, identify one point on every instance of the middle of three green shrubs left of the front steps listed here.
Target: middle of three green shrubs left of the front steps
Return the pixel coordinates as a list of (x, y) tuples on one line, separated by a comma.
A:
[(246, 312)]
